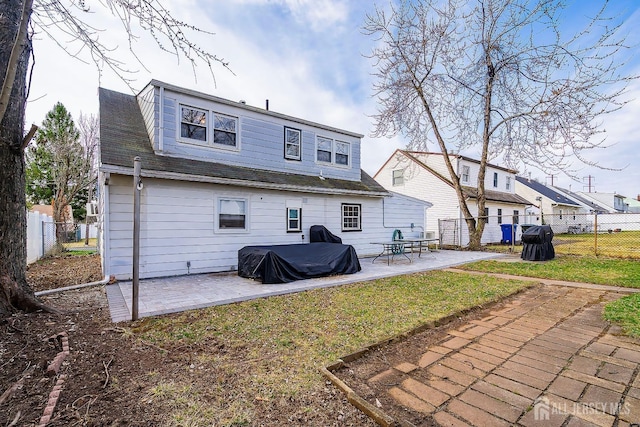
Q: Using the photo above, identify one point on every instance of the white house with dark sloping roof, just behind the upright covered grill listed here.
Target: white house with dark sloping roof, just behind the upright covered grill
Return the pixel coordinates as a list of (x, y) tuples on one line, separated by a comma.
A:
[(551, 207)]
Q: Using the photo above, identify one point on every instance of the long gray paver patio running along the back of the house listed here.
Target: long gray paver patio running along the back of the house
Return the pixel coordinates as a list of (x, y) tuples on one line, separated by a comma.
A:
[(175, 294)]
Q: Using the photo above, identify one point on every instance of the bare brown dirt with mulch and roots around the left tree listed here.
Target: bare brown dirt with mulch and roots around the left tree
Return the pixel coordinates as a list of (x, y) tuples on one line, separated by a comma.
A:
[(115, 379)]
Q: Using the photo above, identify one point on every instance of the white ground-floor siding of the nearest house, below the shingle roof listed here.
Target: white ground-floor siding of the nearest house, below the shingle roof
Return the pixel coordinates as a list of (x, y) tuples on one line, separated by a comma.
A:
[(178, 224)]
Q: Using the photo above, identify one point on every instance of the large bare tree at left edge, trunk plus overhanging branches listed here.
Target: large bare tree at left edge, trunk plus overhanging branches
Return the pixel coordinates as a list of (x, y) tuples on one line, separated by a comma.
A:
[(62, 21)]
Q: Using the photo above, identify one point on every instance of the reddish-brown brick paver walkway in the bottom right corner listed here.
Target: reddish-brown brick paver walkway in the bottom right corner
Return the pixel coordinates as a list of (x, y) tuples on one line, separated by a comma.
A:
[(547, 358)]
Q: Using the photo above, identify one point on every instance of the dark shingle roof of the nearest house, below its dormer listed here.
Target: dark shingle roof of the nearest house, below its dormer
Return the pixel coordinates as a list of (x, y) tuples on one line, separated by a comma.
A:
[(123, 136)]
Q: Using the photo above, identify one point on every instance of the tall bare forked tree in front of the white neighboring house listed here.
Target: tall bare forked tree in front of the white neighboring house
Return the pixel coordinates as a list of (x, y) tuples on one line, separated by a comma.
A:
[(496, 76)]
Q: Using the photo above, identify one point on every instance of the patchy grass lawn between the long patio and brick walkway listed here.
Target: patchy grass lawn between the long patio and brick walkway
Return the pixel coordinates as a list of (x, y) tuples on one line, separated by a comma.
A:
[(271, 349)]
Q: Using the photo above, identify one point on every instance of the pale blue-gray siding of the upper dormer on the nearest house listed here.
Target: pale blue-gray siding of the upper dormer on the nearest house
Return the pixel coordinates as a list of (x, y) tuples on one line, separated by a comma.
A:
[(260, 140)]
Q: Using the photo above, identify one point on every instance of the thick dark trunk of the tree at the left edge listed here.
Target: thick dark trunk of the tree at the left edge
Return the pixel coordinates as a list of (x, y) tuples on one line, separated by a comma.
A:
[(15, 293)]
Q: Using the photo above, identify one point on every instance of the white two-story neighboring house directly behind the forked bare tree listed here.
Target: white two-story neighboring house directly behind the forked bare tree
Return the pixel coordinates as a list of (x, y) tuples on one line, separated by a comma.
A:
[(424, 175)]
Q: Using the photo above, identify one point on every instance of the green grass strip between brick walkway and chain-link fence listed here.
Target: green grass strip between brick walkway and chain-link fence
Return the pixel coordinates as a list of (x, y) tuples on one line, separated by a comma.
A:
[(602, 271)]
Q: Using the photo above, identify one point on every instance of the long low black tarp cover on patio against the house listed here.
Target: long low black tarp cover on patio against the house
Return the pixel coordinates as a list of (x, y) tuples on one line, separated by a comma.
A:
[(286, 263)]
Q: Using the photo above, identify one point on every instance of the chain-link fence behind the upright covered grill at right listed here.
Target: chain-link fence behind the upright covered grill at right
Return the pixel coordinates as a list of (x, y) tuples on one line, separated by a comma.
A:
[(612, 235)]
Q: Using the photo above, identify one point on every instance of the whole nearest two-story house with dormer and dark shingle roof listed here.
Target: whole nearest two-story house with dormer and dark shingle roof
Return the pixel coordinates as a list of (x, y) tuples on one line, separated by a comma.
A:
[(218, 175)]
